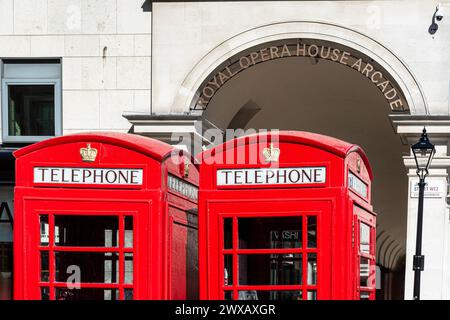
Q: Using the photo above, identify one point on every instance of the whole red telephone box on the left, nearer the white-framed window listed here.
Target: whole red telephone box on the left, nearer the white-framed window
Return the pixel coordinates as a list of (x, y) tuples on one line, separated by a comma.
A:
[(105, 216)]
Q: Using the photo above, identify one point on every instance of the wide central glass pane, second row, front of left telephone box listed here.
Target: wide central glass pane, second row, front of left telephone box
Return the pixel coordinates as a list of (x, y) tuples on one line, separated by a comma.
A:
[(94, 267)]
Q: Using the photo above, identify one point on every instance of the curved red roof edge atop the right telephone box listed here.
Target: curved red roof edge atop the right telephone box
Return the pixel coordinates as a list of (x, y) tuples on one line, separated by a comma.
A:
[(329, 144)]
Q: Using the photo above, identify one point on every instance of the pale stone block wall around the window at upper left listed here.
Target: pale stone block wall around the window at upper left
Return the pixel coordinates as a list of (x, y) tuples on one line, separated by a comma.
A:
[(105, 46)]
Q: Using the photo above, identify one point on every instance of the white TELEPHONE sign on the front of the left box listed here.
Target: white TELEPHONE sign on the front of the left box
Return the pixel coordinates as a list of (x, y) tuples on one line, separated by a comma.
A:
[(102, 176)]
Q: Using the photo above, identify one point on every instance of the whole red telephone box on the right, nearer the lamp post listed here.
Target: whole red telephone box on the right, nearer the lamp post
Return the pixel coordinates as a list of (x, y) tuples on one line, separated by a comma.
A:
[(286, 216)]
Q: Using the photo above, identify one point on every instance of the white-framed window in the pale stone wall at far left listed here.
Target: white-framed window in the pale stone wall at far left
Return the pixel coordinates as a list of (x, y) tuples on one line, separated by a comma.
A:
[(31, 100)]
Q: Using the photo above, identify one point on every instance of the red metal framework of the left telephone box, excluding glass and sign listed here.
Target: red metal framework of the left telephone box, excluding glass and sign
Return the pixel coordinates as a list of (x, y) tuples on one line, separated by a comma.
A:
[(147, 203)]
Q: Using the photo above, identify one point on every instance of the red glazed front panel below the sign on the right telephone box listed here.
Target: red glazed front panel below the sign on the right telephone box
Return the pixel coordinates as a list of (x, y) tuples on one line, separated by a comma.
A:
[(277, 250)]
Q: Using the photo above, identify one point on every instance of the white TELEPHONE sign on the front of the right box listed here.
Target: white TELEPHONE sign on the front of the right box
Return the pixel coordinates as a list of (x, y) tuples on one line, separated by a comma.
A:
[(261, 176)]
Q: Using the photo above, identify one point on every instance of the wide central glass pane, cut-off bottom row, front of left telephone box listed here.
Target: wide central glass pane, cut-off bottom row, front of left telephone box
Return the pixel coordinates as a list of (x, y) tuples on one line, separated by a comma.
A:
[(86, 294)]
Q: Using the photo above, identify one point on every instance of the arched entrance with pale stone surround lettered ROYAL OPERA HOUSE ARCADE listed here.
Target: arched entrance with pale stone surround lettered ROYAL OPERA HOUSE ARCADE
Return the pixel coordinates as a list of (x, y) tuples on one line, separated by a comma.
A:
[(248, 84)]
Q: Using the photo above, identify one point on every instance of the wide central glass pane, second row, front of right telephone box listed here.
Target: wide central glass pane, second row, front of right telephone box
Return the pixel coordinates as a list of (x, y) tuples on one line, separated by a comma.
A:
[(270, 269)]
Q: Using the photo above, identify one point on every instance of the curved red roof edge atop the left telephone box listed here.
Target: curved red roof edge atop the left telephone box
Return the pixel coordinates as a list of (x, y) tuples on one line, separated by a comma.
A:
[(155, 149)]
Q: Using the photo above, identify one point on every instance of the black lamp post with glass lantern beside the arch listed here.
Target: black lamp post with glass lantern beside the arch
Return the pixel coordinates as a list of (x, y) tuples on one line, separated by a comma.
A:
[(423, 153)]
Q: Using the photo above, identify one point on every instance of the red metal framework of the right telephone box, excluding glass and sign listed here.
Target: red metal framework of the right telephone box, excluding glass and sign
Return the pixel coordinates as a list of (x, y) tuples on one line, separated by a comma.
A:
[(333, 202)]
